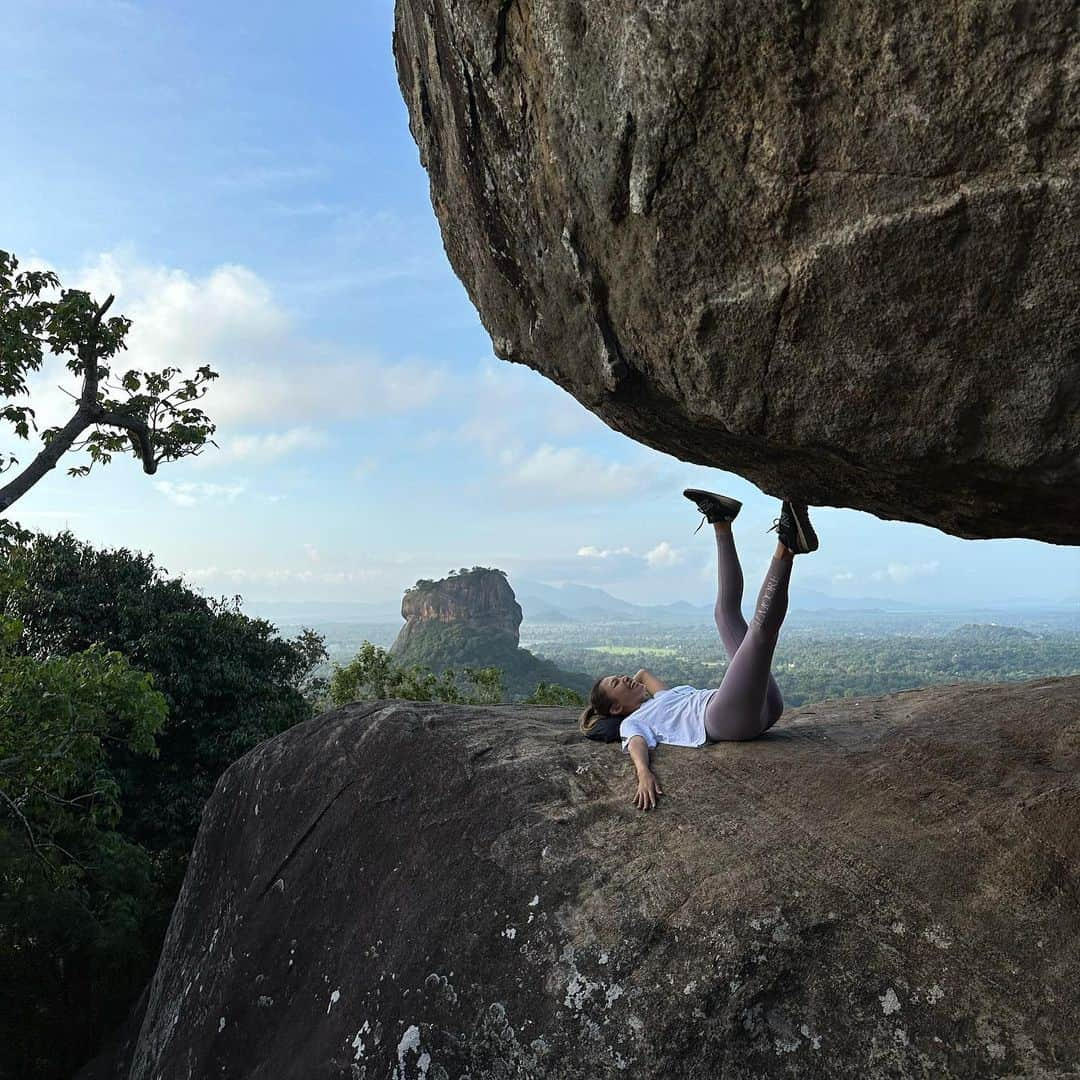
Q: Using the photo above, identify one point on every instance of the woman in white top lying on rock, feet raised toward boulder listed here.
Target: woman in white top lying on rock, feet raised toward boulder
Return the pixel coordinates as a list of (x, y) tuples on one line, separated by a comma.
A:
[(644, 712)]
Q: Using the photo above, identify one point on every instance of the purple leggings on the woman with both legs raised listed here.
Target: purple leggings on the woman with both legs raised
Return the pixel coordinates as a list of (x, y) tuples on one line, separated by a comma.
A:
[(748, 701)]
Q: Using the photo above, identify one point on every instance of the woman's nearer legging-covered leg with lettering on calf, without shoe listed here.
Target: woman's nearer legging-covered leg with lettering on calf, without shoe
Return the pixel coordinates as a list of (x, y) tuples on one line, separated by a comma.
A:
[(738, 709)]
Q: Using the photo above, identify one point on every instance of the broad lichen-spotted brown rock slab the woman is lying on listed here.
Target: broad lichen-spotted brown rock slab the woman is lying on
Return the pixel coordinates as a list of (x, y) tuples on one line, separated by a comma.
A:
[(404, 890)]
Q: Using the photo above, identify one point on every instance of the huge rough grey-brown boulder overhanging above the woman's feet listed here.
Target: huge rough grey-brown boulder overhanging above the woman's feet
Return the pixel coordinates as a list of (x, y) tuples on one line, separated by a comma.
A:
[(832, 248)]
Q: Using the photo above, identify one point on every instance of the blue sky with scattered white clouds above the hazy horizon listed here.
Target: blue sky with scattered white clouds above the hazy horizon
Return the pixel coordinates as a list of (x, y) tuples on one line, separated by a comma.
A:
[(244, 179)]
